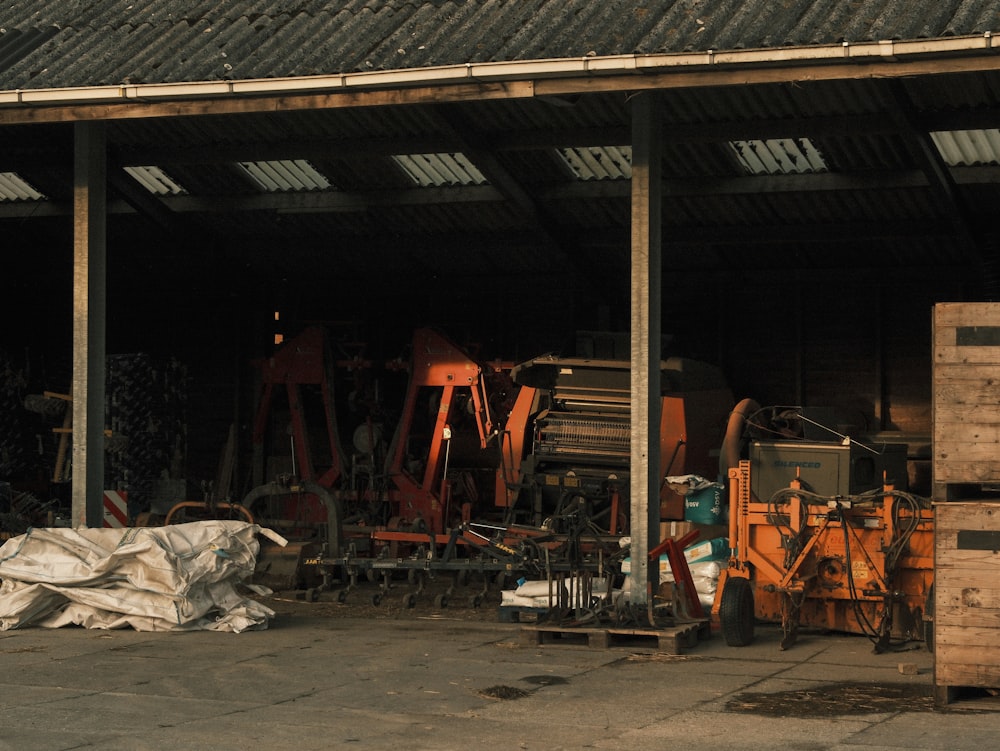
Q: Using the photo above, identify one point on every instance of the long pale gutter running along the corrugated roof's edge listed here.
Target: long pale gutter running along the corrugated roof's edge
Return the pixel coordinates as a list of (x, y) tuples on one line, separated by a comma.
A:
[(506, 71)]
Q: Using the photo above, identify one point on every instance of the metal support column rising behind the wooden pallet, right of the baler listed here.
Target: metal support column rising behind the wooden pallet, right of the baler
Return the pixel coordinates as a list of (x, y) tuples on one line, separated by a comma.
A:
[(645, 342)]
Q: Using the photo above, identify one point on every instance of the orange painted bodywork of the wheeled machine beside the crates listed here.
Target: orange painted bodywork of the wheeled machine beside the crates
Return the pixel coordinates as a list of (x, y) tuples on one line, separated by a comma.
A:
[(829, 565)]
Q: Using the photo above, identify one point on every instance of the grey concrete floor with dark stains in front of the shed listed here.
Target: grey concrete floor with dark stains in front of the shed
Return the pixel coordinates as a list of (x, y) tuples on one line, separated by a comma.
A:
[(331, 676)]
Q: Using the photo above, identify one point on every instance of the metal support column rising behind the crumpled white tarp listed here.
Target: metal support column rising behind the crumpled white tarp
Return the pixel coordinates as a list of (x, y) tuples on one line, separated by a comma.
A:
[(89, 318)]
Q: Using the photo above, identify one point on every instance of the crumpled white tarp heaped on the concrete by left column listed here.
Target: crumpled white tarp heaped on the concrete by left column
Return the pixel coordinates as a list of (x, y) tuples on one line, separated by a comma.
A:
[(177, 577)]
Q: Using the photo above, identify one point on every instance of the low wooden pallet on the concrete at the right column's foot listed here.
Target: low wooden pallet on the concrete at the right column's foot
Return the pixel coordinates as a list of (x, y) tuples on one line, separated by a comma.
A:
[(670, 640)]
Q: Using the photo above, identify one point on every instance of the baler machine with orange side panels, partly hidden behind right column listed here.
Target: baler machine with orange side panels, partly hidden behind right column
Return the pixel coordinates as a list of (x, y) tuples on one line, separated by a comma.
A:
[(567, 440)]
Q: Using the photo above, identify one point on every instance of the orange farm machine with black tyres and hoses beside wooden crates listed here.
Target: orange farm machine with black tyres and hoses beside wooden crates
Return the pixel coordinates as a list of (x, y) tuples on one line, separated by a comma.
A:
[(857, 562)]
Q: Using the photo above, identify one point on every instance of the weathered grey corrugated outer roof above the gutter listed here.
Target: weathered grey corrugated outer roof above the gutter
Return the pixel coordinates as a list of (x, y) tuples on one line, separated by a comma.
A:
[(101, 42)]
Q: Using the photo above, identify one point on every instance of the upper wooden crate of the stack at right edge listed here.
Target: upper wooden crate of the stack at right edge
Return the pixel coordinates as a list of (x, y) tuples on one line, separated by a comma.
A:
[(966, 398)]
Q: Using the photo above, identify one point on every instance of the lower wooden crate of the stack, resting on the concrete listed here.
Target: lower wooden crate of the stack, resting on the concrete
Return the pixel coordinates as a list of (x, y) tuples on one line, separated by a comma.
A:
[(966, 597)]
